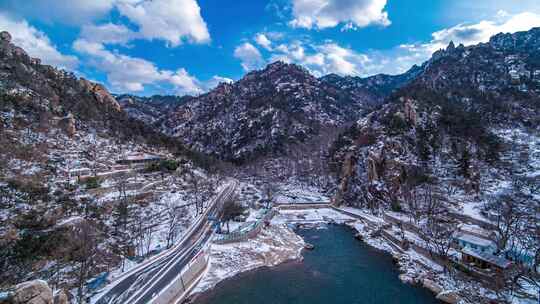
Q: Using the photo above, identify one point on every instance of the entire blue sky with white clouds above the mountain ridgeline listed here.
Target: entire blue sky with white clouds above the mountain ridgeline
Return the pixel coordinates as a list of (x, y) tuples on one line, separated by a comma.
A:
[(148, 47)]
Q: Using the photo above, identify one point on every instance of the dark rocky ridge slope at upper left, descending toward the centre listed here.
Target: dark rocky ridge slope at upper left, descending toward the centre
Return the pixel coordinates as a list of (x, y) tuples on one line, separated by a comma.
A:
[(57, 98)]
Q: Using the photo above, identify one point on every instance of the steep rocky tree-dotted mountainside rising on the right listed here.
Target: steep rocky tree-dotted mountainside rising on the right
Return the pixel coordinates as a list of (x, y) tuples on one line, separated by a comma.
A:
[(449, 126)]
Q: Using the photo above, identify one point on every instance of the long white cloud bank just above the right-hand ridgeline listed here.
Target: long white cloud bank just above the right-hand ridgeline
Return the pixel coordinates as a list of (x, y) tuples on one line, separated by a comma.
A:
[(330, 57)]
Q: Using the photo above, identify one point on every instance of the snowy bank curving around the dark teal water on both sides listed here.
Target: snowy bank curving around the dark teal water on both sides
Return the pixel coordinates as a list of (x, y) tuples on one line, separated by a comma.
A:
[(278, 244)]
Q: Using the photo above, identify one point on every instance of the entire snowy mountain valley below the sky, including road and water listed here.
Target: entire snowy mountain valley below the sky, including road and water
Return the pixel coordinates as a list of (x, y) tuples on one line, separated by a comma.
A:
[(115, 198)]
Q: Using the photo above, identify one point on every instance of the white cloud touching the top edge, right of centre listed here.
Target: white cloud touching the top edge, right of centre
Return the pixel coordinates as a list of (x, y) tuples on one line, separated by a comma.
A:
[(330, 13)]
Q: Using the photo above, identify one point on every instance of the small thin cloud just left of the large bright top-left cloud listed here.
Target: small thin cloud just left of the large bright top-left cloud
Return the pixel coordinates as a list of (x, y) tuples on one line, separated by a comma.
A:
[(107, 33)]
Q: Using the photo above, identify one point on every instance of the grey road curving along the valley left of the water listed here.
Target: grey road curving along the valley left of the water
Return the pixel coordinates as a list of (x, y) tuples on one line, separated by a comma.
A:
[(142, 285)]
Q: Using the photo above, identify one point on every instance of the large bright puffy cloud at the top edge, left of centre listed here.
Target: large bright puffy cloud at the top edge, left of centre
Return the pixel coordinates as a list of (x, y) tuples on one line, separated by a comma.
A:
[(171, 20)]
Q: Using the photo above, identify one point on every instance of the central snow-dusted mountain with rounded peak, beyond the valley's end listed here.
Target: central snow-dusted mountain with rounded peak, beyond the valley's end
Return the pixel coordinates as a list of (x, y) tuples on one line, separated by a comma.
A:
[(262, 113)]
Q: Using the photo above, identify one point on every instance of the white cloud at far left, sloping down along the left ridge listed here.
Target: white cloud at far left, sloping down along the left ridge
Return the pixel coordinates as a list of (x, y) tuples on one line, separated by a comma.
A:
[(36, 43)]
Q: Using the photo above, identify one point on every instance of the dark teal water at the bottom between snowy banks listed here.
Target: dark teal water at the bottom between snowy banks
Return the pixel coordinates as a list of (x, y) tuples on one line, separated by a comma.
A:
[(340, 270)]
